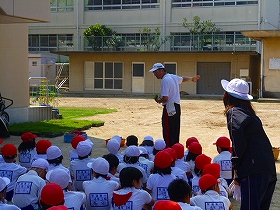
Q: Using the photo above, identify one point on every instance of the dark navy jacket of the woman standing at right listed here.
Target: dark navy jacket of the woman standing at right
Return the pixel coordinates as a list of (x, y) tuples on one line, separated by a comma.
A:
[(251, 149)]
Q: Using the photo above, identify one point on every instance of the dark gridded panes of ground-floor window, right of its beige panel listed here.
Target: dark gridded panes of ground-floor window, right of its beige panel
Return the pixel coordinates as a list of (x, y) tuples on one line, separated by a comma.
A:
[(107, 75)]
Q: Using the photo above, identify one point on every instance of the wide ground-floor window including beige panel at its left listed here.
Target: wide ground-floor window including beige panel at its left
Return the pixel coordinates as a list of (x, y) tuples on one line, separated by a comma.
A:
[(103, 75)]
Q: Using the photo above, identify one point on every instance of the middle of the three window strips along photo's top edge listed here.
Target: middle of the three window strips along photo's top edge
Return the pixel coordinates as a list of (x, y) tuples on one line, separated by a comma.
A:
[(119, 4)]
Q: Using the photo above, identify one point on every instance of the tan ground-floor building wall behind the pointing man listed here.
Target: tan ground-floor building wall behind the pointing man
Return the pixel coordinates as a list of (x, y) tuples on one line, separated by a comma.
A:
[(186, 66)]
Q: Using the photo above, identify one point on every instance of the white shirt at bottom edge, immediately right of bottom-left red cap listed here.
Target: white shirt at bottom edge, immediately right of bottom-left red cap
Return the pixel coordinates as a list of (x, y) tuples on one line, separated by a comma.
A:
[(74, 200)]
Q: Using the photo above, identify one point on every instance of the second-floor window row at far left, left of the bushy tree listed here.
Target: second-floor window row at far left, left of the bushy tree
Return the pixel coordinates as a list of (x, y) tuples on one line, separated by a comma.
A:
[(50, 42)]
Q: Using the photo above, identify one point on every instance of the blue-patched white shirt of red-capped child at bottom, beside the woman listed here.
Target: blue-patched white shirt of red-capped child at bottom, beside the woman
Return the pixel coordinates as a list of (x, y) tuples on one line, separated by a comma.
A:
[(210, 200)]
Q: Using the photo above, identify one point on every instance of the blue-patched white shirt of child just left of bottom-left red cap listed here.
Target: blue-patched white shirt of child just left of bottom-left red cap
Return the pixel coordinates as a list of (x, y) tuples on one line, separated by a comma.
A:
[(28, 189)]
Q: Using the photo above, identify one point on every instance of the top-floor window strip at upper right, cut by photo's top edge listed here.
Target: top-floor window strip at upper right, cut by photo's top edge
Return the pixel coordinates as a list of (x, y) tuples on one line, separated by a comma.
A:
[(210, 3)]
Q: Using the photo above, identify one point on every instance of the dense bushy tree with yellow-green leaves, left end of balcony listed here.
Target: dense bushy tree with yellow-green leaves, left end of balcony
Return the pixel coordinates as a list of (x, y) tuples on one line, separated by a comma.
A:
[(98, 36)]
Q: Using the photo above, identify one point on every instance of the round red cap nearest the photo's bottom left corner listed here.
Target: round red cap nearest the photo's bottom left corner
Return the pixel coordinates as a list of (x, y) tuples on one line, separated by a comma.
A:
[(52, 194)]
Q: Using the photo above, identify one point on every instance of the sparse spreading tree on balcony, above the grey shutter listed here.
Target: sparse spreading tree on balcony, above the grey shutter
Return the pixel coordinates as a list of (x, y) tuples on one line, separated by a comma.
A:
[(200, 29)]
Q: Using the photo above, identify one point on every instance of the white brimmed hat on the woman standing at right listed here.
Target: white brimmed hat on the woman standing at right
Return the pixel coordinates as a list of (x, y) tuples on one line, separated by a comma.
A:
[(237, 88)]
